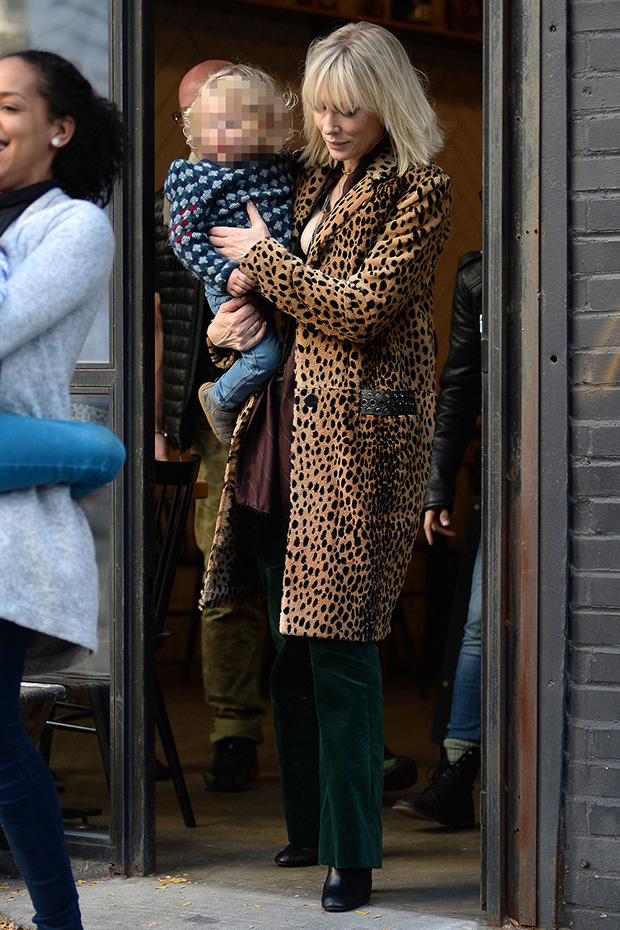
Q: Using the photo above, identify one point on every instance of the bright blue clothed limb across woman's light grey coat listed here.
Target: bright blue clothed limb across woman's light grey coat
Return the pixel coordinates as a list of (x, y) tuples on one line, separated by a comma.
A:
[(36, 451)]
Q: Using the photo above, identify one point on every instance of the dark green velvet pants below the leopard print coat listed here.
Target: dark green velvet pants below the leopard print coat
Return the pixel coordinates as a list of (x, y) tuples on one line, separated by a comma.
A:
[(328, 719)]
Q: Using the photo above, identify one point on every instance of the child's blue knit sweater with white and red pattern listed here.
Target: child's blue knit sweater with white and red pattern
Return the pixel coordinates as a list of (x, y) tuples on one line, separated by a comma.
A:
[(204, 194)]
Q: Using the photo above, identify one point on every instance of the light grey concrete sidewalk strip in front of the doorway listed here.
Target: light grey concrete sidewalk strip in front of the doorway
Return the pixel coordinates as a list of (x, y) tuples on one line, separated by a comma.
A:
[(173, 902)]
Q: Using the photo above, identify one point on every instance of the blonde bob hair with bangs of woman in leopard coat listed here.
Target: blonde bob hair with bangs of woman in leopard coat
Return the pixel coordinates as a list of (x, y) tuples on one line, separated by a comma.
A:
[(362, 66)]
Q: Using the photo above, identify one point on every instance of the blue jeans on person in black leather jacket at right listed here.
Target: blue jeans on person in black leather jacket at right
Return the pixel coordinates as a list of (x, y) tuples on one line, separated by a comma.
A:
[(465, 713)]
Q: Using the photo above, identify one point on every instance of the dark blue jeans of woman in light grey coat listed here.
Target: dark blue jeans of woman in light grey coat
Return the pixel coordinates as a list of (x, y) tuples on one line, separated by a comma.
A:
[(29, 809)]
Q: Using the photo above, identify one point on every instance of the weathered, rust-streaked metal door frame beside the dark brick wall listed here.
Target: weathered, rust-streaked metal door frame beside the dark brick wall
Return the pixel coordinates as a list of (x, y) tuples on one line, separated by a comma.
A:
[(525, 457)]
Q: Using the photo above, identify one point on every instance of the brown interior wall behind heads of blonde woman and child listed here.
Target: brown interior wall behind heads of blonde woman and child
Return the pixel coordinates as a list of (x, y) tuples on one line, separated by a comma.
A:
[(186, 33)]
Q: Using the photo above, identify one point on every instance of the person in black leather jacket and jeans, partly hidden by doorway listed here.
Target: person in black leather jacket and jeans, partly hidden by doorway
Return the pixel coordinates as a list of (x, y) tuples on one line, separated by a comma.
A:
[(448, 798)]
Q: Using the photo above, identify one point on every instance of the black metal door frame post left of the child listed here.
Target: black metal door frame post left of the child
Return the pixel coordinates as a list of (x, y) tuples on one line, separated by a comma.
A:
[(130, 844)]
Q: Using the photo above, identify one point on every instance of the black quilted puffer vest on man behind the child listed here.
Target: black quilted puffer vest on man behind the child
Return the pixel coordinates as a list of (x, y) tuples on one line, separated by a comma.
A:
[(186, 315)]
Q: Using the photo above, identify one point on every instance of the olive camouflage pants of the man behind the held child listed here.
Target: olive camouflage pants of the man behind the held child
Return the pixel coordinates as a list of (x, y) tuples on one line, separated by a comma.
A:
[(231, 637)]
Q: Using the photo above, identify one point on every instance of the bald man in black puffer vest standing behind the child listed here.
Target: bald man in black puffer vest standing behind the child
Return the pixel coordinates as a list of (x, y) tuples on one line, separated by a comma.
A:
[(231, 636)]
